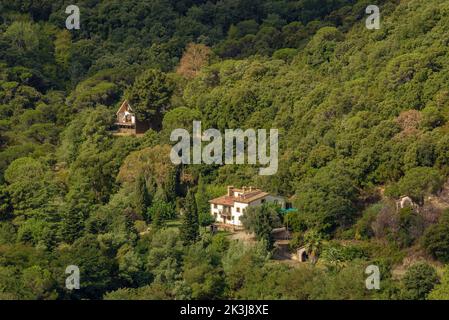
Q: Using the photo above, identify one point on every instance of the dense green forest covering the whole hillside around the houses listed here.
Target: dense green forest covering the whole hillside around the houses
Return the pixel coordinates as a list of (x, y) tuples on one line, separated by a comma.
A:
[(363, 119)]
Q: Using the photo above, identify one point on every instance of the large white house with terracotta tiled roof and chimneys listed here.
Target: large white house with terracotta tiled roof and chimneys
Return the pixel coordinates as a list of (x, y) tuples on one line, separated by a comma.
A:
[(229, 208)]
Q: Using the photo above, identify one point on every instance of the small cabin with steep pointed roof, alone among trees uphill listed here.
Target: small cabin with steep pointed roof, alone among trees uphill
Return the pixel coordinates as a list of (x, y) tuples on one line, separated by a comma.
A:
[(127, 123)]
